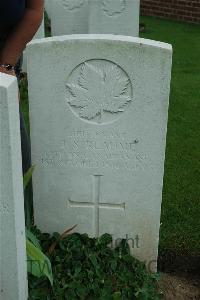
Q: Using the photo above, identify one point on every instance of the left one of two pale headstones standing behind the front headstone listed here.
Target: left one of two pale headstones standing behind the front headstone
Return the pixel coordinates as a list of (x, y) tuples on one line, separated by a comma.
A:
[(69, 17)]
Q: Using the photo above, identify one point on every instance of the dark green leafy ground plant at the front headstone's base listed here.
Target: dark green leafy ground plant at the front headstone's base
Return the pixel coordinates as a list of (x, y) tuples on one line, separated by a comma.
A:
[(89, 268)]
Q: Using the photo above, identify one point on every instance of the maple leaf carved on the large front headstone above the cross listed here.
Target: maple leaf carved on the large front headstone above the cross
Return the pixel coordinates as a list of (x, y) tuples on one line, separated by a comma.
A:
[(99, 90)]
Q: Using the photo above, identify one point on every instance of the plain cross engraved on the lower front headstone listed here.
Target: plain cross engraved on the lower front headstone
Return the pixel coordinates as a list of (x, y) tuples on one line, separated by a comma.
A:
[(97, 204)]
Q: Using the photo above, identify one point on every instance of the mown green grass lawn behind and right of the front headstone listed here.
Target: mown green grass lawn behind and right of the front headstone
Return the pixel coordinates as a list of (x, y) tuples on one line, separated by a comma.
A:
[(180, 229)]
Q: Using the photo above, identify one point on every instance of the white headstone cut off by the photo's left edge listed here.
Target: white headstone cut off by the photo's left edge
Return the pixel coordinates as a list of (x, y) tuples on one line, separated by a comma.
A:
[(13, 271)]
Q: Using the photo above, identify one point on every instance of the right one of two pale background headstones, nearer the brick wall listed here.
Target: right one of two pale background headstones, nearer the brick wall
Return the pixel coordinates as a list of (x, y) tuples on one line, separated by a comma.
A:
[(115, 17)]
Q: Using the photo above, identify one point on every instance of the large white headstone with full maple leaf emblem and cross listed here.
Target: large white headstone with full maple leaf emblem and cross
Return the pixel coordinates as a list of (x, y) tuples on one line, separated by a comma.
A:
[(98, 135)]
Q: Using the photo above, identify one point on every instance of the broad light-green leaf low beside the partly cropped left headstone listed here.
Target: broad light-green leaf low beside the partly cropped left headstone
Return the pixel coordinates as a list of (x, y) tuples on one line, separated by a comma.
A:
[(38, 263)]
